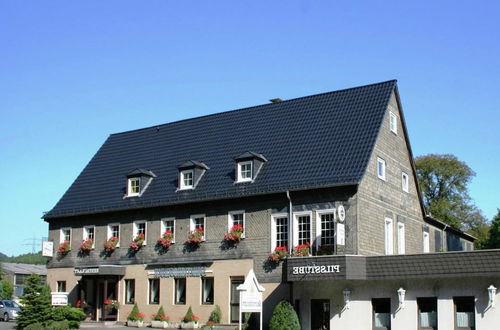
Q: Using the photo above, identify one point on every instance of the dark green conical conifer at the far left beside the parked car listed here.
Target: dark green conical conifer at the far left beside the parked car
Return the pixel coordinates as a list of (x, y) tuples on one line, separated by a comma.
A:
[(35, 301)]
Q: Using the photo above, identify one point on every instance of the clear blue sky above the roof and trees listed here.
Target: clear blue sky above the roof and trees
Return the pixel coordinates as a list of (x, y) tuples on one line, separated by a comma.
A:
[(71, 73)]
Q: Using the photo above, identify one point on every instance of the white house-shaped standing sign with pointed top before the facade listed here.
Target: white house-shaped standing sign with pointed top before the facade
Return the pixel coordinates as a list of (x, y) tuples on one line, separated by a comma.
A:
[(251, 296)]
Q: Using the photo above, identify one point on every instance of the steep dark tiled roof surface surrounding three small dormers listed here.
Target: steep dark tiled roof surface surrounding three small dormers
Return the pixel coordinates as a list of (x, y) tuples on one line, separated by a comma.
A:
[(310, 142)]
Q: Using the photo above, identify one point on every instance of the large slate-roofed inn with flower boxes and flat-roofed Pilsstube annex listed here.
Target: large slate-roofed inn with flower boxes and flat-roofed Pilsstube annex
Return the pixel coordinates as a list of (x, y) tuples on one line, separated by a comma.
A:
[(332, 171)]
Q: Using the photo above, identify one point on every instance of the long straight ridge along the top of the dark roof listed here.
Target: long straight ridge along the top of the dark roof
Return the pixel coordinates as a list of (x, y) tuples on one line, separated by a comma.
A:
[(254, 107)]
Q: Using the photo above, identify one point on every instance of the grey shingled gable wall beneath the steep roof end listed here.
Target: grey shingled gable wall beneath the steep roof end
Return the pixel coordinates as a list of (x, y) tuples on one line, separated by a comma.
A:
[(379, 199)]
